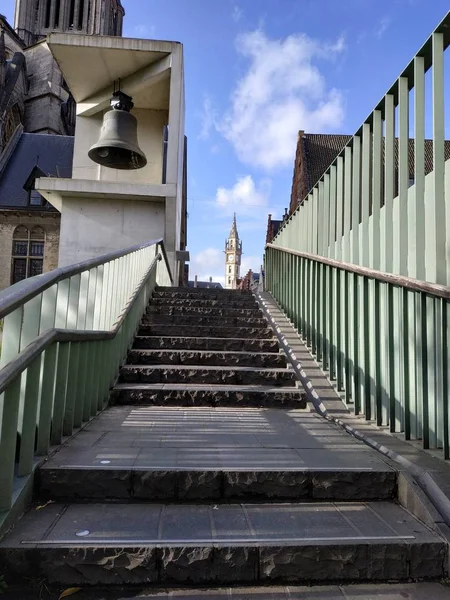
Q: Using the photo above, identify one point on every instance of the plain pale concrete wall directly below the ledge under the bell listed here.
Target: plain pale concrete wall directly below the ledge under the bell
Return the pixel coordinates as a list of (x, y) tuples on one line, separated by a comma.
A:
[(92, 229)]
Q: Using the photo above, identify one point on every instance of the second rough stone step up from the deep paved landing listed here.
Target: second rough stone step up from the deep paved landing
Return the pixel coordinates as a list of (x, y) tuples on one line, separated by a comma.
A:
[(223, 375)]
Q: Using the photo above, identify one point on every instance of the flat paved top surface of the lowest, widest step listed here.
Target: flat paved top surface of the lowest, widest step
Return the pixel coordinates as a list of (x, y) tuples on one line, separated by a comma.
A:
[(147, 525)]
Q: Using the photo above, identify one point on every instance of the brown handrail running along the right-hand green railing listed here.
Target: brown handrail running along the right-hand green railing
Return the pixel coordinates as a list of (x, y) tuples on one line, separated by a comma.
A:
[(433, 289)]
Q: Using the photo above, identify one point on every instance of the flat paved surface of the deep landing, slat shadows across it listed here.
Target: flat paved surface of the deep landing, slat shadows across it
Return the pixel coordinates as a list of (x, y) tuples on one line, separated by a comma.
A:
[(214, 439)]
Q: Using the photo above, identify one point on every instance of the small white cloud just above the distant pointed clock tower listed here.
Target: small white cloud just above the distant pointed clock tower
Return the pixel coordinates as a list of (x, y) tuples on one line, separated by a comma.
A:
[(244, 197)]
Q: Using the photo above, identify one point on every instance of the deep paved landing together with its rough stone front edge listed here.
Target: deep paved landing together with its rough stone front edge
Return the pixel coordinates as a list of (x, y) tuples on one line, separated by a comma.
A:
[(214, 454)]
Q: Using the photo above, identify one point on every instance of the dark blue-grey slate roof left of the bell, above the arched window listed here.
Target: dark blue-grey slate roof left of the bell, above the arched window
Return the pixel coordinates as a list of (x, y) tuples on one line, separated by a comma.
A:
[(52, 153)]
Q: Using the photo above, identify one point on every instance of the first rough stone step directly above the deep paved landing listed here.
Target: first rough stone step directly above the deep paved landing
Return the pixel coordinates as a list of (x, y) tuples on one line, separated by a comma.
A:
[(158, 394)]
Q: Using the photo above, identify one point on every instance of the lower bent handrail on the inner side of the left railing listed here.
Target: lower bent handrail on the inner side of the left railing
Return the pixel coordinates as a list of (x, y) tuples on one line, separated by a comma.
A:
[(14, 368)]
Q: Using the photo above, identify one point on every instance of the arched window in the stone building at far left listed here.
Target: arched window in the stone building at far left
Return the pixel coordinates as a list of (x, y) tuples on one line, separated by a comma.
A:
[(27, 253)]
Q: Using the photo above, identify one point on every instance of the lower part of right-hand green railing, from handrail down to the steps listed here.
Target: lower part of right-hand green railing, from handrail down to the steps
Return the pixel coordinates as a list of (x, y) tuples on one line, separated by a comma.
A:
[(384, 339)]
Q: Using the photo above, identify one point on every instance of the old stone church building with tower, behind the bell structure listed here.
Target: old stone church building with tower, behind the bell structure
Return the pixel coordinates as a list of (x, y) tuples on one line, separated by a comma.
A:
[(37, 121)]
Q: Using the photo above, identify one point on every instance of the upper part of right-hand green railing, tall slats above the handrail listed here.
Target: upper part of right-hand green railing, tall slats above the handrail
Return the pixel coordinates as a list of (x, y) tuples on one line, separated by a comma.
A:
[(384, 202)]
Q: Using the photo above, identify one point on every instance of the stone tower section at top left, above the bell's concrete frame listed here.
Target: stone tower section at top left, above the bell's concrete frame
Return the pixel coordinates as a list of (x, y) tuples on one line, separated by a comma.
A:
[(34, 19)]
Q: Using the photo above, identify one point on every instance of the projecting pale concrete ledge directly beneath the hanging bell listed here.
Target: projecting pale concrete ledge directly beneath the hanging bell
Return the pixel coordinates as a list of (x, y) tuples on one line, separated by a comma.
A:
[(55, 189)]
